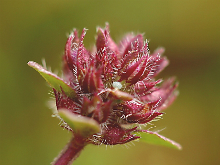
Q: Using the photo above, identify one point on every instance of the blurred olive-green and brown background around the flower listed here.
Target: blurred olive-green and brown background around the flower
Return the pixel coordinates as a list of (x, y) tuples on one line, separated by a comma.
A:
[(33, 30)]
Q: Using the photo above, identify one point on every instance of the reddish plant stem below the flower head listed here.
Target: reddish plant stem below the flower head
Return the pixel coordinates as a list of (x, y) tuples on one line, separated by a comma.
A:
[(70, 152)]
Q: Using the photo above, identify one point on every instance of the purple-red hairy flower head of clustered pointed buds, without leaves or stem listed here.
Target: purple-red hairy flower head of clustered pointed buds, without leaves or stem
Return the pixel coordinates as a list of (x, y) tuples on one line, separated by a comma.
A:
[(116, 84)]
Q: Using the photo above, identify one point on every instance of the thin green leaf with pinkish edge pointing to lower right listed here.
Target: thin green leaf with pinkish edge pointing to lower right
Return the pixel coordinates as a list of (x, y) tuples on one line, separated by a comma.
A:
[(157, 139)]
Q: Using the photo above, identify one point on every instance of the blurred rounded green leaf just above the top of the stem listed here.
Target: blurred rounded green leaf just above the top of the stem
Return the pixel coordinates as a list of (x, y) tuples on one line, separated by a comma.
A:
[(82, 125)]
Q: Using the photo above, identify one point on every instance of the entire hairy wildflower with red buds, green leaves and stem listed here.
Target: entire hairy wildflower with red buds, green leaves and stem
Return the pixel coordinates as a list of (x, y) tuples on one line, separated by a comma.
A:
[(106, 94)]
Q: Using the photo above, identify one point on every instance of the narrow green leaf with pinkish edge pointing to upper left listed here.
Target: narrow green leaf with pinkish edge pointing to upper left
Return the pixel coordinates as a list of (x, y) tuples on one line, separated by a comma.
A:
[(53, 80)]
